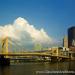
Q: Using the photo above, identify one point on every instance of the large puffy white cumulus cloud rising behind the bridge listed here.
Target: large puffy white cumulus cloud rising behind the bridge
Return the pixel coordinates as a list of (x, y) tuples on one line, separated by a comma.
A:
[(23, 34)]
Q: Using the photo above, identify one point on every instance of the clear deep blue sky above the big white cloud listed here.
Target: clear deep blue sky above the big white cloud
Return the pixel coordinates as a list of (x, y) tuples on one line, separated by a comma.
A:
[(55, 16)]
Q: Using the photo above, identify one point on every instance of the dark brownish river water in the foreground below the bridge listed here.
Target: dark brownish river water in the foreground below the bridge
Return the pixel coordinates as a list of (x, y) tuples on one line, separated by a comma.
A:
[(39, 68)]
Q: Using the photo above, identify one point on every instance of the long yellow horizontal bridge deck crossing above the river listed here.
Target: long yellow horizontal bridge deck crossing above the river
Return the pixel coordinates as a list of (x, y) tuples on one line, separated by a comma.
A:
[(31, 54)]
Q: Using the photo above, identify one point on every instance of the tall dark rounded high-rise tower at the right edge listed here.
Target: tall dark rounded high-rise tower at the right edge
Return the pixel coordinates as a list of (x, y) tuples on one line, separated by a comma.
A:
[(71, 37)]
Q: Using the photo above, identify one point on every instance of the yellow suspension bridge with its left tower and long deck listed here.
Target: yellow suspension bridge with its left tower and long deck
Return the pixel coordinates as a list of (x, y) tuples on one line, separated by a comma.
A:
[(5, 54)]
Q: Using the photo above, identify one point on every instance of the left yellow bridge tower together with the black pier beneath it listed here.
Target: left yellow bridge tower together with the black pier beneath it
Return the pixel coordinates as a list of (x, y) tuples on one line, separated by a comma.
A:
[(4, 59)]
